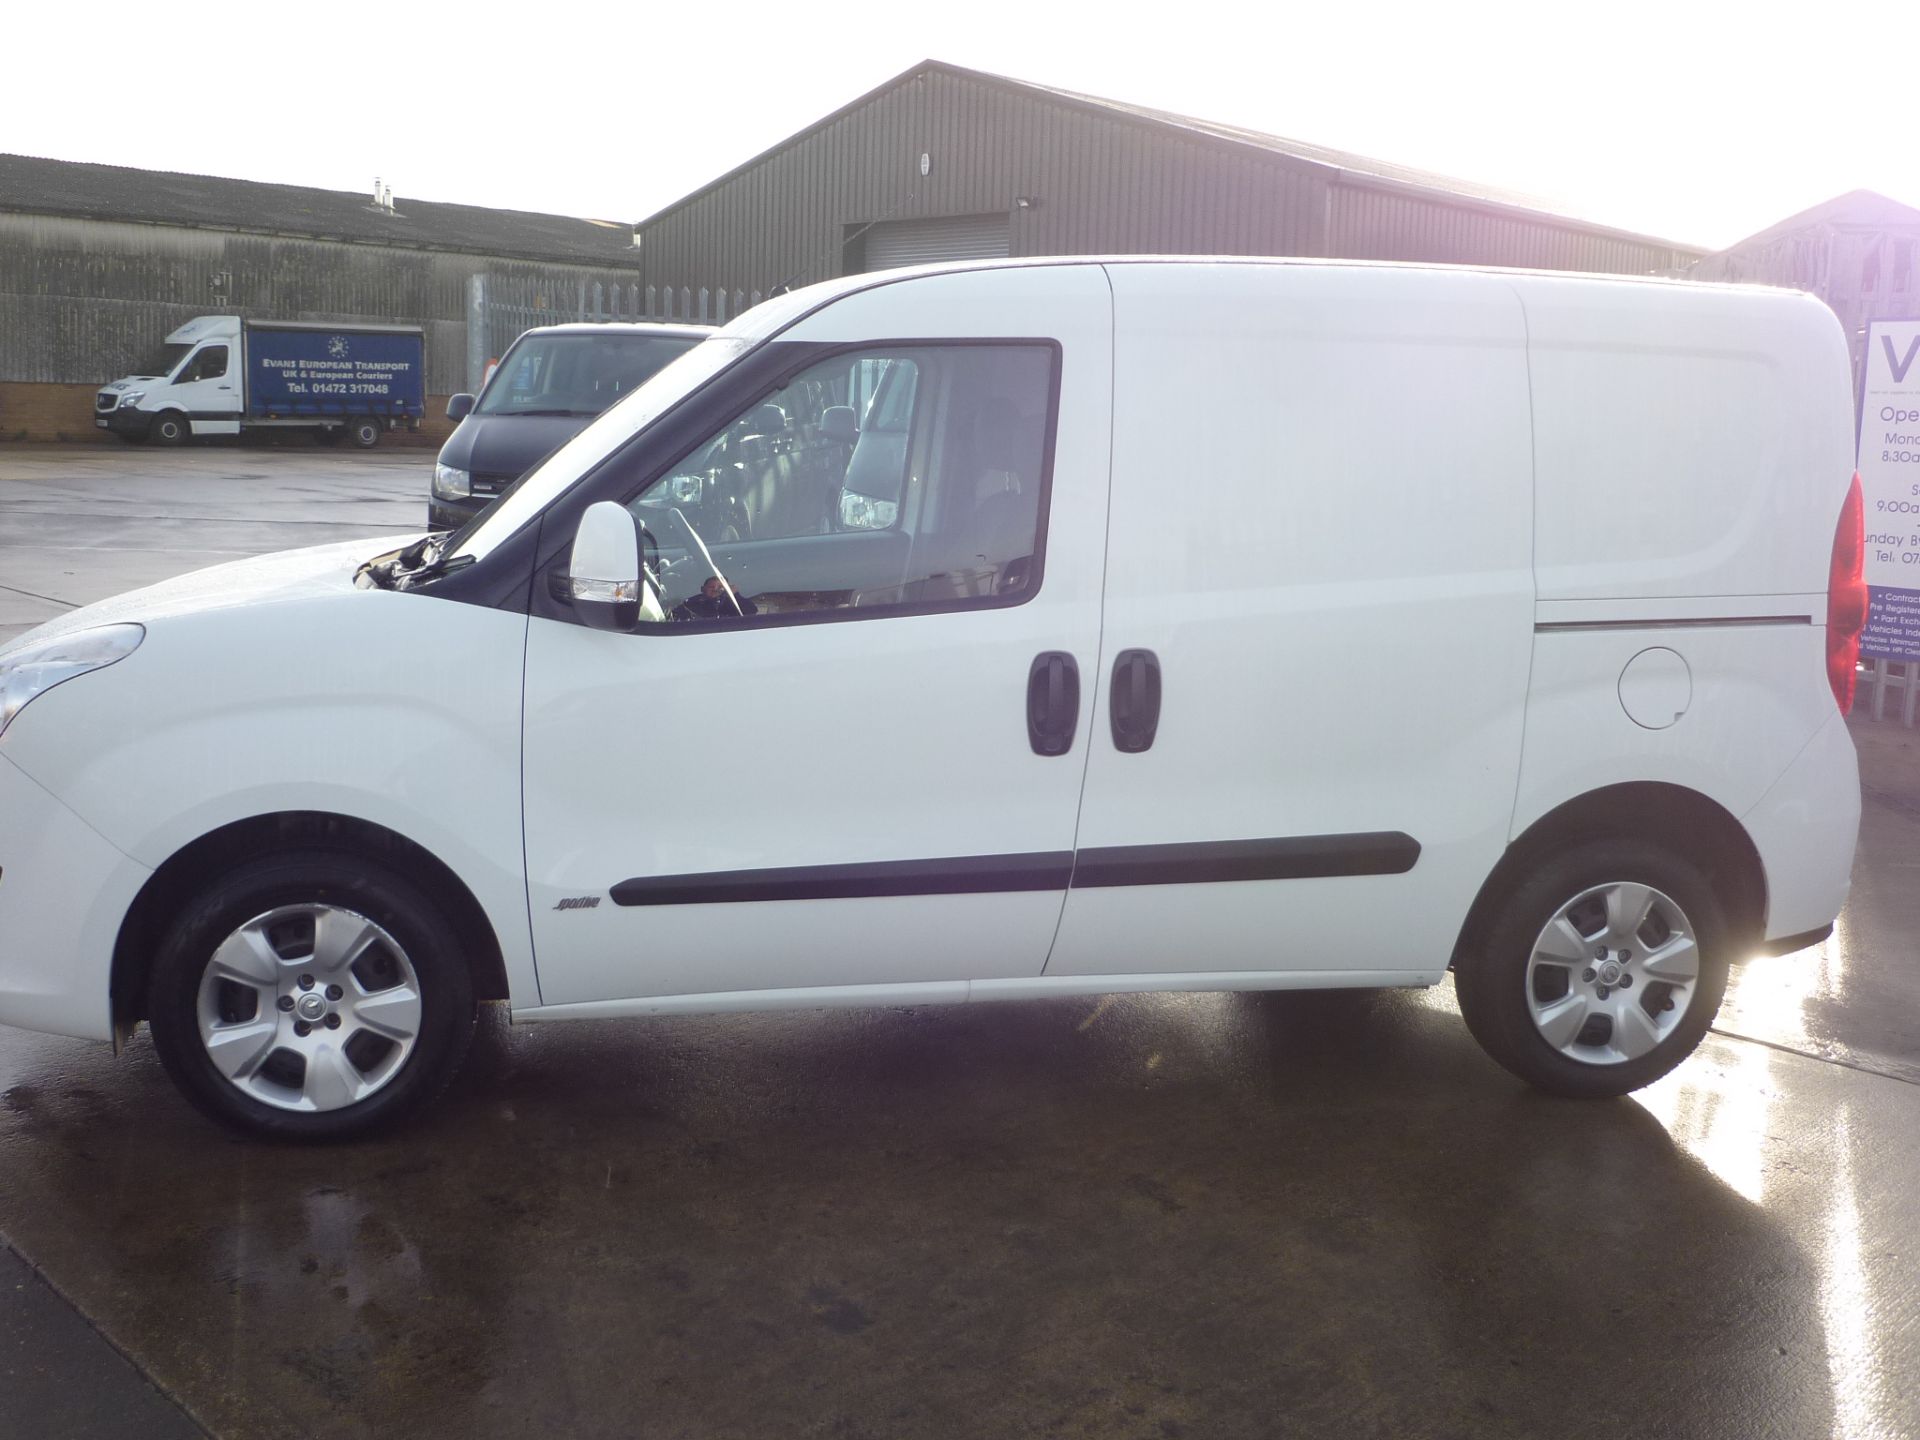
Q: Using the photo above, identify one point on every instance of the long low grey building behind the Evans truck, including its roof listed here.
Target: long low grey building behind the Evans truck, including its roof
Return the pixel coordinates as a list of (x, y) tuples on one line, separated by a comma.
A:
[(101, 262)]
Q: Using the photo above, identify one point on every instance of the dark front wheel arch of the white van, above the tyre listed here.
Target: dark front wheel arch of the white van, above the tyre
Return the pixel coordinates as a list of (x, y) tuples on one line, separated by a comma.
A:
[(189, 869)]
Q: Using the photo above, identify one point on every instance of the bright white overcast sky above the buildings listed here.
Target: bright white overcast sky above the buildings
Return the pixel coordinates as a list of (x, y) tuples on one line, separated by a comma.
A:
[(1698, 124)]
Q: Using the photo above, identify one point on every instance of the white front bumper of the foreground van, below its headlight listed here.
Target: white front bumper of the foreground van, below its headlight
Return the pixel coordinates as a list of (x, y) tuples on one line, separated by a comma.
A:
[(64, 894)]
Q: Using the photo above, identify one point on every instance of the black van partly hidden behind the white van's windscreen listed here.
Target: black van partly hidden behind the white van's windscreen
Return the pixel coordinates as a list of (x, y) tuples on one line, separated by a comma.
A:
[(544, 393)]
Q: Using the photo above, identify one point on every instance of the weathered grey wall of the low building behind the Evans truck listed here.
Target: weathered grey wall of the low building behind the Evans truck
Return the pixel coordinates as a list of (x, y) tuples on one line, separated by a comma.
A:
[(85, 300)]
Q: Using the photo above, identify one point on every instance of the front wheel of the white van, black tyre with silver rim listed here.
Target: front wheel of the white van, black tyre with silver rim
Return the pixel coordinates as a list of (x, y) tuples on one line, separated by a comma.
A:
[(310, 996)]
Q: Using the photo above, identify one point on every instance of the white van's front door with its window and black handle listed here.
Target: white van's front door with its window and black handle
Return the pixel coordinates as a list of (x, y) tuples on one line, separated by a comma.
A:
[(848, 752)]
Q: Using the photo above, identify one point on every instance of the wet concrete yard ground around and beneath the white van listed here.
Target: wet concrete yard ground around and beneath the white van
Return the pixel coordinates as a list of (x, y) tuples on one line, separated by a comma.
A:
[(1147, 1216)]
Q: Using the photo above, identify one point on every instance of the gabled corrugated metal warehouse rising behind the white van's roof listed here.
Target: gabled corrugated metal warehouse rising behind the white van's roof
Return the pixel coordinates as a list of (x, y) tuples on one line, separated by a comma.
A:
[(948, 164)]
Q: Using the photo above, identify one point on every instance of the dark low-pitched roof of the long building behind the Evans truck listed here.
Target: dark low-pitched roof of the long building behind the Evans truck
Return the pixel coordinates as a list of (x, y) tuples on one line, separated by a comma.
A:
[(114, 193)]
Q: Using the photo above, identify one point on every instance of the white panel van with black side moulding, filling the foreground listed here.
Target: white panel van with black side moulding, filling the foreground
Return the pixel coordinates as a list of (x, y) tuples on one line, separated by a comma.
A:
[(999, 631)]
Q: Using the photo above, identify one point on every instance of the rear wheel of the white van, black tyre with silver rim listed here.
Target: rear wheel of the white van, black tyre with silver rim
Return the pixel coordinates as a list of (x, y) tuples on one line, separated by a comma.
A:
[(1600, 972)]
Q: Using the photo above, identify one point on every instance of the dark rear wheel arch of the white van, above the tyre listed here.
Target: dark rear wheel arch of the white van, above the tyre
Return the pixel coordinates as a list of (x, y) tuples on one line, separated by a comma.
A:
[(1677, 817)]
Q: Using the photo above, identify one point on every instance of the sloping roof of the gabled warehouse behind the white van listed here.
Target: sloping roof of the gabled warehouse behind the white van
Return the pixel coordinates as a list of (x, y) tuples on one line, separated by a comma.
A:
[(1349, 166)]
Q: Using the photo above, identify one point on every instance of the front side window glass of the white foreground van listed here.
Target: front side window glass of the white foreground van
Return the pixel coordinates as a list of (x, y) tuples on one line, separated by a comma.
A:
[(873, 483)]
